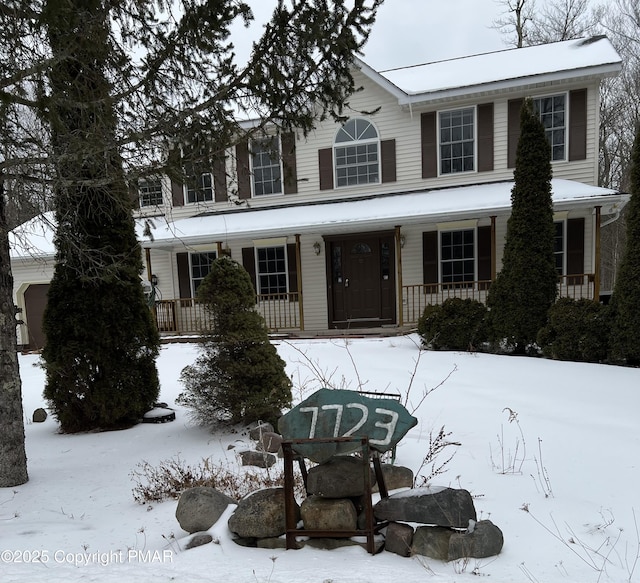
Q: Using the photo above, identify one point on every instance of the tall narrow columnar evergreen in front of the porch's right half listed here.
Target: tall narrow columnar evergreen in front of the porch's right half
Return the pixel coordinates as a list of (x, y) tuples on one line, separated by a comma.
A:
[(526, 286)]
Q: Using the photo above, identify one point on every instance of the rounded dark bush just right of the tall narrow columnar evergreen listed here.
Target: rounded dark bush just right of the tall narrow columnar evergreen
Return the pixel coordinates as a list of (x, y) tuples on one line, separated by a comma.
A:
[(576, 330)]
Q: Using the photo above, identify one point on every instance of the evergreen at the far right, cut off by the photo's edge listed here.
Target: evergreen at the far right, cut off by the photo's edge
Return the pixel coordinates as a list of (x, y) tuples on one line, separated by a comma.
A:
[(625, 301)]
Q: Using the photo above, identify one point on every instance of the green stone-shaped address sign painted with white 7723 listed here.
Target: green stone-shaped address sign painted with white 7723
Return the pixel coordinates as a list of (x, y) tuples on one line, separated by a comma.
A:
[(337, 413)]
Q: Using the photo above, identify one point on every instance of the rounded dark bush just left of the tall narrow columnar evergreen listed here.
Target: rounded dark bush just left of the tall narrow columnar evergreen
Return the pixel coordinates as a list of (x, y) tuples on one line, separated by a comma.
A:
[(456, 324)]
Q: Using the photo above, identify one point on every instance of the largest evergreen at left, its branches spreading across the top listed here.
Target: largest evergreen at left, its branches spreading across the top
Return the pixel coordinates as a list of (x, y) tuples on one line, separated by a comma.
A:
[(96, 92)]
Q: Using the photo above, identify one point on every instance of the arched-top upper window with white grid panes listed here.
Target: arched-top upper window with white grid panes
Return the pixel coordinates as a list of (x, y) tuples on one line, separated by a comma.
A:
[(357, 153)]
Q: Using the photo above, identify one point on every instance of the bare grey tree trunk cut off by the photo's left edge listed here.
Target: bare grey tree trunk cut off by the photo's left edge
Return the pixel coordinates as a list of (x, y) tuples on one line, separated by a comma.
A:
[(13, 459)]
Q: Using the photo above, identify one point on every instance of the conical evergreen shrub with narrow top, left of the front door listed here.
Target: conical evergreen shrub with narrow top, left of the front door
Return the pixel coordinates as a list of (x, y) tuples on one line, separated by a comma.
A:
[(238, 376)]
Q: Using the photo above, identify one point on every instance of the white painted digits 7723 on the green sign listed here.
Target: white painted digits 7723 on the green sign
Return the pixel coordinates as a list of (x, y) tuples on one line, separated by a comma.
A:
[(388, 421)]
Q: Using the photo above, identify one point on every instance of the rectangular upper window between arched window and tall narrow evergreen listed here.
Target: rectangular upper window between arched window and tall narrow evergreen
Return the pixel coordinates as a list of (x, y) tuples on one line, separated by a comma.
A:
[(457, 140)]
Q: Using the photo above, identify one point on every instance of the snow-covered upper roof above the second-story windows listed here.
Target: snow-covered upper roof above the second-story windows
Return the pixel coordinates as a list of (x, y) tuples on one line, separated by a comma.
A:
[(499, 70)]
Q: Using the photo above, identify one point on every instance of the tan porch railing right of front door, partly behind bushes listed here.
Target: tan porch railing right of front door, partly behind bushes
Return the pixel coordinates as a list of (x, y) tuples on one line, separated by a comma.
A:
[(416, 297)]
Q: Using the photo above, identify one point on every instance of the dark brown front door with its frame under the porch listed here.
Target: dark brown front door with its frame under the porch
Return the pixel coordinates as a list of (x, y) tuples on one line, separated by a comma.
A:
[(362, 281)]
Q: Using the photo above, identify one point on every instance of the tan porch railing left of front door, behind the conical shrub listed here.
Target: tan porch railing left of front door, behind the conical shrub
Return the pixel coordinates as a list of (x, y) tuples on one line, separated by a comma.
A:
[(189, 316)]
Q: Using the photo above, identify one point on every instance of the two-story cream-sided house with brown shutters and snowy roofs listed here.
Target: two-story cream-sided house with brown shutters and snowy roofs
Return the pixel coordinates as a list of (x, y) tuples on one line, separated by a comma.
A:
[(362, 224)]
